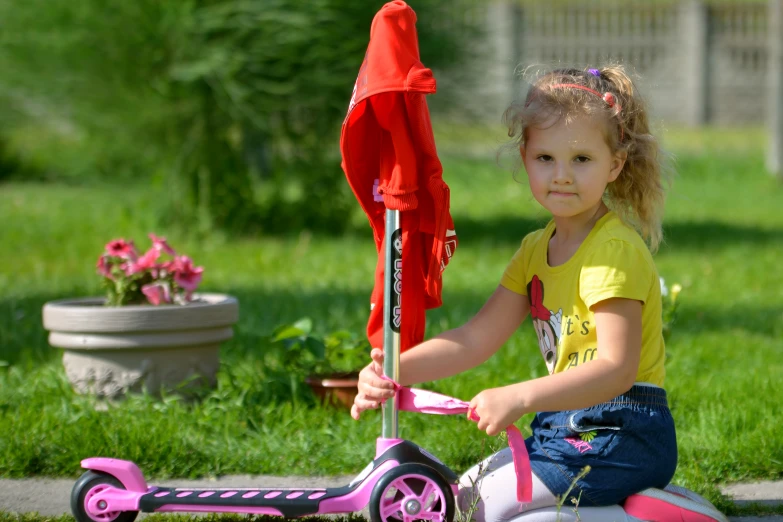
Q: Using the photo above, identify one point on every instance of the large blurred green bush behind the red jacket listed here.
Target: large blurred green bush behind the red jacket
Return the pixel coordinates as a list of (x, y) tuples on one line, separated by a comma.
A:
[(208, 98)]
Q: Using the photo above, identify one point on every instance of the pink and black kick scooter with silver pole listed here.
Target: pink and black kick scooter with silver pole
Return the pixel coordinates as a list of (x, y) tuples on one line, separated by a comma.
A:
[(403, 482)]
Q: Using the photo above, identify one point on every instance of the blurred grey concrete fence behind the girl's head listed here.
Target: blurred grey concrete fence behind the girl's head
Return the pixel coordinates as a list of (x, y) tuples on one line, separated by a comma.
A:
[(700, 61)]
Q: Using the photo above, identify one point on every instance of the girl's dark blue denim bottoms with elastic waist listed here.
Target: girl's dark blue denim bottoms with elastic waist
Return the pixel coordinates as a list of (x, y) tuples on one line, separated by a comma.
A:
[(629, 443)]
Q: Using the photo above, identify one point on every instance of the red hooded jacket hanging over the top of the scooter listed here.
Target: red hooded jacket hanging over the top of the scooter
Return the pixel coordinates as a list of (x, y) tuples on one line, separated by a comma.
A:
[(390, 160)]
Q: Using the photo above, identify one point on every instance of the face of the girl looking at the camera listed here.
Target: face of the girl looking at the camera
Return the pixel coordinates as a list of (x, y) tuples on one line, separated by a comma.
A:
[(570, 165)]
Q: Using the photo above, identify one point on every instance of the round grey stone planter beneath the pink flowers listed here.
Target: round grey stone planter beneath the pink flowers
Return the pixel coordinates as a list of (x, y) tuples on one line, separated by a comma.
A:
[(109, 351)]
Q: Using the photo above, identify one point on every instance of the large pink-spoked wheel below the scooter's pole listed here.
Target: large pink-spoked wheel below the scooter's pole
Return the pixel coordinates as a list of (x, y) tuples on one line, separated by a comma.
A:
[(412, 492)]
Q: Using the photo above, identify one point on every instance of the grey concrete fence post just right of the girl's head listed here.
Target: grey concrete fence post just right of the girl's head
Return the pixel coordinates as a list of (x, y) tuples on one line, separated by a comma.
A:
[(695, 68)]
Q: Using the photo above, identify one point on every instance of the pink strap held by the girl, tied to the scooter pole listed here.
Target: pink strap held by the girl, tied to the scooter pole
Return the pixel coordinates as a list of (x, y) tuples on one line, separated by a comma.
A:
[(425, 401)]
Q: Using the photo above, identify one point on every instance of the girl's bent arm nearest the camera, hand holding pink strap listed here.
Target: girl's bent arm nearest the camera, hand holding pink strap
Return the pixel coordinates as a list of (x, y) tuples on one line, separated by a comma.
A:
[(613, 372)]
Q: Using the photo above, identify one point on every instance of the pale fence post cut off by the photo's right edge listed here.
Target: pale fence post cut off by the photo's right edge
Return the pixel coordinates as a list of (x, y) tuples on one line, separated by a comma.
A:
[(775, 89)]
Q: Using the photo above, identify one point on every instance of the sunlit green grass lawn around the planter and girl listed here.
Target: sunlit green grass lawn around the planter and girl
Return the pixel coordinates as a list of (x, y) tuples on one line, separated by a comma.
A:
[(724, 231)]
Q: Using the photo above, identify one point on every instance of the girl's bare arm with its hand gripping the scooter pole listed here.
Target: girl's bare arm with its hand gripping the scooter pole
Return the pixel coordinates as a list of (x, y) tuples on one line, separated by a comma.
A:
[(449, 353)]
